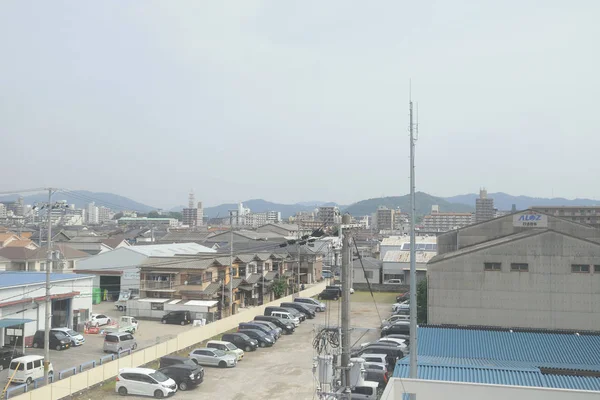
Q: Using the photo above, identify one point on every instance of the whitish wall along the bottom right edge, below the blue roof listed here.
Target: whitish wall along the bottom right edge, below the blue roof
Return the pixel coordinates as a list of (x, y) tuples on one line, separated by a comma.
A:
[(425, 389)]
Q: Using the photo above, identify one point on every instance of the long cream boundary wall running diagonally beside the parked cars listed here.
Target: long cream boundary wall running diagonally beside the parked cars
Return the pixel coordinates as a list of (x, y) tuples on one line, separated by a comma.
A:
[(69, 386)]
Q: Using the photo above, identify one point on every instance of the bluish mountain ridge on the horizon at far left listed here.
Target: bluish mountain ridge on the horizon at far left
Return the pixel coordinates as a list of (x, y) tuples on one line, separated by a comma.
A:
[(81, 198)]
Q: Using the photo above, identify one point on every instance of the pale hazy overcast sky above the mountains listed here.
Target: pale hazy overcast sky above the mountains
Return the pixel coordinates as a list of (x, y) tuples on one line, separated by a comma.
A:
[(299, 100)]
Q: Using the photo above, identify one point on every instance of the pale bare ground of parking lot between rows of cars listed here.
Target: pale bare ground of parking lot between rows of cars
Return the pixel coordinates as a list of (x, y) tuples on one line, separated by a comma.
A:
[(285, 370)]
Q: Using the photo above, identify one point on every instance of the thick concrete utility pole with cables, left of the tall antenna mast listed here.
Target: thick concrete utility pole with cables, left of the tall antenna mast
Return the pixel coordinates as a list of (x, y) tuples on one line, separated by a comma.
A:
[(346, 307)]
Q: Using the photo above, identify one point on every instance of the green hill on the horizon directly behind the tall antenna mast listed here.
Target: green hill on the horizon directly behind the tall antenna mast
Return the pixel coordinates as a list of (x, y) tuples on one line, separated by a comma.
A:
[(423, 204)]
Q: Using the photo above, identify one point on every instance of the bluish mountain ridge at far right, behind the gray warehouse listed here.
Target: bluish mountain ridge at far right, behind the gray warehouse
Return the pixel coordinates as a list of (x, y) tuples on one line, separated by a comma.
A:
[(503, 201)]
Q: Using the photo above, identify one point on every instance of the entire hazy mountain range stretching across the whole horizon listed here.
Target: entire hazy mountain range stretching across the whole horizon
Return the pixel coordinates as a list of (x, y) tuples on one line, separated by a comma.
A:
[(424, 201)]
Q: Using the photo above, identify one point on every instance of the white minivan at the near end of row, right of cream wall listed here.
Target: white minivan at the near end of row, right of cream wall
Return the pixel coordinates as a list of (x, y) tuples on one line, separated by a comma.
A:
[(144, 382)]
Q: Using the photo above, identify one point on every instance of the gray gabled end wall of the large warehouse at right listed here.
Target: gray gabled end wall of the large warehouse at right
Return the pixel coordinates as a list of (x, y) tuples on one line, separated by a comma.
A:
[(548, 296)]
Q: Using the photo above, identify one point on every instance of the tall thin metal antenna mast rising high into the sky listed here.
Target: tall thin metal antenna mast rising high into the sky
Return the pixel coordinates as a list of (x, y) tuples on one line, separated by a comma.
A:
[(413, 272)]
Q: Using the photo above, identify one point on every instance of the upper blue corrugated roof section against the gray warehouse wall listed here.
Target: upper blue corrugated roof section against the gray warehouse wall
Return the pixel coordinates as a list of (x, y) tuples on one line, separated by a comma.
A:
[(530, 348)]
